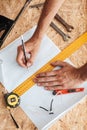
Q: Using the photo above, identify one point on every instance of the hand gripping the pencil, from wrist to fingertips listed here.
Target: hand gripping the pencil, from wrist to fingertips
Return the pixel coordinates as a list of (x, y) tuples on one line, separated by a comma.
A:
[(31, 47)]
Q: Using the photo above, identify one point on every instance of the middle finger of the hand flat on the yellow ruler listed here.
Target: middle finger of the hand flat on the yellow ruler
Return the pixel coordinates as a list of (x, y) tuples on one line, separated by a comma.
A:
[(46, 79)]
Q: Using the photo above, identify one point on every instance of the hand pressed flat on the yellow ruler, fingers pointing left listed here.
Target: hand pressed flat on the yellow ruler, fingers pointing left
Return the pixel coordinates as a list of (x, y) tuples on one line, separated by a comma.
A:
[(66, 77)]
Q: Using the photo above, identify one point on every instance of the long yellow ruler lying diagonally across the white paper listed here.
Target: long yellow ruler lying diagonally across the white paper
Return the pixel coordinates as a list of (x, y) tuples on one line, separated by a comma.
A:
[(27, 84)]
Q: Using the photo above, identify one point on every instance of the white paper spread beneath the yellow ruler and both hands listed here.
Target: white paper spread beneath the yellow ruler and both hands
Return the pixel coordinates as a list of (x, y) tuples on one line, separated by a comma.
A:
[(13, 75)]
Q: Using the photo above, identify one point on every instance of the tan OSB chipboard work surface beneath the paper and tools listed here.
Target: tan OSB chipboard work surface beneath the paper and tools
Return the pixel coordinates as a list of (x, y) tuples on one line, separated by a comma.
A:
[(75, 13)]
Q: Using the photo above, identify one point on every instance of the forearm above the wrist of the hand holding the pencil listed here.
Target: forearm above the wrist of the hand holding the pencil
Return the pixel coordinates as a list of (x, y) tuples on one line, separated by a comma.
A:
[(49, 10)]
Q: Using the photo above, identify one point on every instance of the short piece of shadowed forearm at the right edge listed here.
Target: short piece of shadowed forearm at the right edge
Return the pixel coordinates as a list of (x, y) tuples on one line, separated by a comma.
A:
[(83, 72)]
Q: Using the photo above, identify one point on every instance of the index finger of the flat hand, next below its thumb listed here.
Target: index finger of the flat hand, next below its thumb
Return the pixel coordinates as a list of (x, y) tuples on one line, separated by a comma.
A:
[(49, 73)]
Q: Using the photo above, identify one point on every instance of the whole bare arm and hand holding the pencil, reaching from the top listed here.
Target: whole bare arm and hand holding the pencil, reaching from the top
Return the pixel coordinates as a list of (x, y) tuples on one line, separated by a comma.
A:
[(32, 45)]
